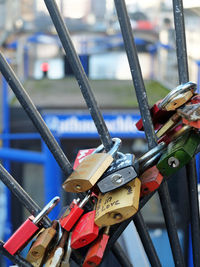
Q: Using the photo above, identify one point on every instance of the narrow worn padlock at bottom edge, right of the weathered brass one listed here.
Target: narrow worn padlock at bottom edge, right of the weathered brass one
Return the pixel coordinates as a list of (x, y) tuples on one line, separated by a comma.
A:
[(55, 257)]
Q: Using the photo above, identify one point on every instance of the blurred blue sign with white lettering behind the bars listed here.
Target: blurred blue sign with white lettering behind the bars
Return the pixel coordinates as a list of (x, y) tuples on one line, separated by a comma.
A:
[(81, 125)]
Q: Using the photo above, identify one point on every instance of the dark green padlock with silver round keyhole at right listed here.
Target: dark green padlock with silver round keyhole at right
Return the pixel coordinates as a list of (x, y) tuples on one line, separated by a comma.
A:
[(179, 153)]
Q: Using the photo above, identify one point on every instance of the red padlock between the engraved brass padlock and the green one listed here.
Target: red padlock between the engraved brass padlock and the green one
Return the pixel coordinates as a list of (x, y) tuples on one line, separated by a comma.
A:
[(150, 181)]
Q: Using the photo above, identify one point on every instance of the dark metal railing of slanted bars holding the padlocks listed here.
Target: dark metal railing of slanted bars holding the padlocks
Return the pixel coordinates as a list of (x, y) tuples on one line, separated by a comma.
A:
[(106, 139)]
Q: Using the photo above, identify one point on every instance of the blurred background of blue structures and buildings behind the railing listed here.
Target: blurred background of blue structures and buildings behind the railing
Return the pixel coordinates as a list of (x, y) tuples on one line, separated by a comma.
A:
[(29, 41)]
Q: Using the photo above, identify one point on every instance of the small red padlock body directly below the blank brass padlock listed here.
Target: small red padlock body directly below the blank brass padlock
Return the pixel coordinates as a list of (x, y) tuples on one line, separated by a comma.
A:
[(71, 216)]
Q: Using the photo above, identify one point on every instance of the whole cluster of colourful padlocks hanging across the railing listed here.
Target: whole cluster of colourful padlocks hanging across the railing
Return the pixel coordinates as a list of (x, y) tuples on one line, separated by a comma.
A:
[(111, 185)]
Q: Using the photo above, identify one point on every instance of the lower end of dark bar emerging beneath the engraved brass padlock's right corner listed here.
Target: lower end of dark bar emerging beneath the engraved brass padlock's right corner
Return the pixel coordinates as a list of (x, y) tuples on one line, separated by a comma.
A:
[(146, 240)]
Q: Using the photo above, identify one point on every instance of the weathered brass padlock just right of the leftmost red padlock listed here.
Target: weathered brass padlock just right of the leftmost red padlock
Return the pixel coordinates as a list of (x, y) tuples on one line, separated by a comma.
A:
[(40, 247)]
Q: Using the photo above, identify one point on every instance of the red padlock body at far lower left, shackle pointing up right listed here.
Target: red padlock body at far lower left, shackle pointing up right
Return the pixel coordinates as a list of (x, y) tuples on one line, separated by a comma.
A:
[(20, 238)]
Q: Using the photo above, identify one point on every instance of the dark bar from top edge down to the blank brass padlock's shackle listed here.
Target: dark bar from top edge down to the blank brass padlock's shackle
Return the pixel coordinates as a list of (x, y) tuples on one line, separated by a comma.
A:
[(79, 73)]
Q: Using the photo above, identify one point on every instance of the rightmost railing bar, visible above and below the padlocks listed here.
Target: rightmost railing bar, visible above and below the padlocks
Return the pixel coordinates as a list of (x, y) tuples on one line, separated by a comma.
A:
[(181, 50)]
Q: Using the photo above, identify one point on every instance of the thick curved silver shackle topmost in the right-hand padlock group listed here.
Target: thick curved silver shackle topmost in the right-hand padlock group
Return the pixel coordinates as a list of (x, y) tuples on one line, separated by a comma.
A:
[(182, 88)]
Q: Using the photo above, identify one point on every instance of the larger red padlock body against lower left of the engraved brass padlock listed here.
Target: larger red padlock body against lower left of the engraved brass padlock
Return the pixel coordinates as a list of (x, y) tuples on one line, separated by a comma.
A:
[(85, 231)]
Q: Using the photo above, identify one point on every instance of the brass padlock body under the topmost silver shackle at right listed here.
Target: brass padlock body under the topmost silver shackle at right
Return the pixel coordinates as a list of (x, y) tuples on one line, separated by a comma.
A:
[(179, 100)]
